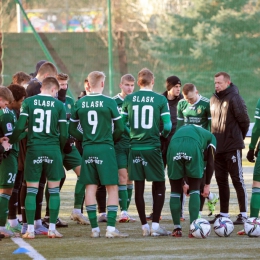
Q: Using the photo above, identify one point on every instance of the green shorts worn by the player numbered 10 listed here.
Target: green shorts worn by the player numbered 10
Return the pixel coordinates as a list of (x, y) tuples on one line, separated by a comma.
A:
[(146, 165)]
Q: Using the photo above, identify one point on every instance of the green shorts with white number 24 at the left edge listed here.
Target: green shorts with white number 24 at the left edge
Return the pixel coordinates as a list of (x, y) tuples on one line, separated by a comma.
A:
[(8, 170)]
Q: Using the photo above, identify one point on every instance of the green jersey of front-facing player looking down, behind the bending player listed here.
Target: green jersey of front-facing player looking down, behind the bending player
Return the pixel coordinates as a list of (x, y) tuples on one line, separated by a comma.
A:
[(197, 113)]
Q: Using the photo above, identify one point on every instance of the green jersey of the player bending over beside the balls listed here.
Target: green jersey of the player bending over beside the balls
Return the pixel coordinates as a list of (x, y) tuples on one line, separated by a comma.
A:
[(203, 137)]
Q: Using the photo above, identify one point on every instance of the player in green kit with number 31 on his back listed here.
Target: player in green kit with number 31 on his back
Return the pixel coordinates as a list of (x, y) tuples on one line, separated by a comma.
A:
[(47, 135)]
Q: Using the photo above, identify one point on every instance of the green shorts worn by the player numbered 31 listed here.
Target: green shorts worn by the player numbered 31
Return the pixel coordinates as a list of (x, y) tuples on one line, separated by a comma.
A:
[(47, 159)]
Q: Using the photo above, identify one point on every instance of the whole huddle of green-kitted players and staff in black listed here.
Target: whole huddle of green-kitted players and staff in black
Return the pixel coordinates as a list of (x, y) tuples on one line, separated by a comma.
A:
[(112, 142)]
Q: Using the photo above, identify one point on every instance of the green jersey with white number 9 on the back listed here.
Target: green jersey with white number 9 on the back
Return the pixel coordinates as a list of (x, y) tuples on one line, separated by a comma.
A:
[(95, 112)]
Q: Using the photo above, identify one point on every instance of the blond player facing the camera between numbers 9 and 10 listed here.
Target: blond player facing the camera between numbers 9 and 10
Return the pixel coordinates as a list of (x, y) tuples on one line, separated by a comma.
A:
[(125, 186)]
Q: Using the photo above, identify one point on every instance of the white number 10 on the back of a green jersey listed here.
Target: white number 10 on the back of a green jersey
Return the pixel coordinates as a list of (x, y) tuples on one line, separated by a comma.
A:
[(146, 118)]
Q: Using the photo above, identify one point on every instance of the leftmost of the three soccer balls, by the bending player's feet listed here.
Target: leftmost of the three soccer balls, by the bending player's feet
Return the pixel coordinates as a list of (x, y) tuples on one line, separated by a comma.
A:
[(200, 228)]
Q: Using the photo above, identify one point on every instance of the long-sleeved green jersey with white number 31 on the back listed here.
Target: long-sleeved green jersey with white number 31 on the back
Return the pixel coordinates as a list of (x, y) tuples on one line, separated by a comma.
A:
[(46, 121)]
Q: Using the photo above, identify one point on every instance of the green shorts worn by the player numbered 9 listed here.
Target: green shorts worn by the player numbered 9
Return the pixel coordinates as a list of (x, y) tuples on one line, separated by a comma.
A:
[(99, 165)]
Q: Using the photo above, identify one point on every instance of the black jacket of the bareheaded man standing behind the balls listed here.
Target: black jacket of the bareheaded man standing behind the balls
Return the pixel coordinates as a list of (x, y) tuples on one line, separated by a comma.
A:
[(230, 120)]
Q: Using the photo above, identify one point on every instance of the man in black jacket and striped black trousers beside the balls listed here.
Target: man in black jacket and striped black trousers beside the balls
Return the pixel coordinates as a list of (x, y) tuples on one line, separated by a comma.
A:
[(230, 123)]
